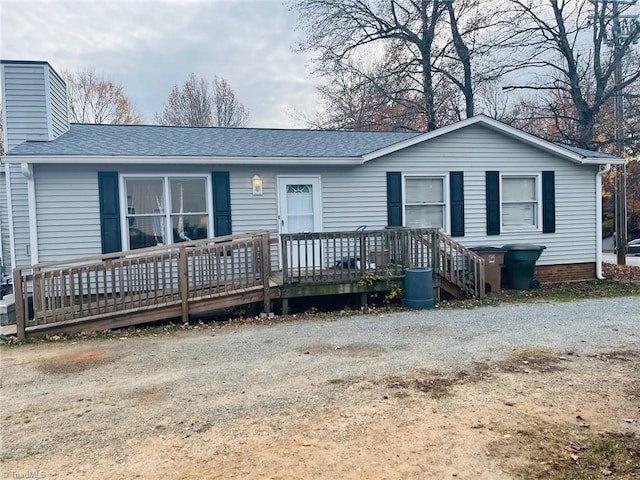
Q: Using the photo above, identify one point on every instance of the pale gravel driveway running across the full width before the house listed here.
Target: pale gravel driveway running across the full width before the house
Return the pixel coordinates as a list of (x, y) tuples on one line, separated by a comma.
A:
[(225, 360)]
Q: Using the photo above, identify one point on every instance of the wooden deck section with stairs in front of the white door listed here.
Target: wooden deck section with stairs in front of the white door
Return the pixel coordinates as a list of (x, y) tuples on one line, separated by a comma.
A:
[(333, 263)]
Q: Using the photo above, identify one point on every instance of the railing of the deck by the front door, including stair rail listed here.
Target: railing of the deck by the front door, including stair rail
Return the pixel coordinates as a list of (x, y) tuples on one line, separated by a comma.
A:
[(341, 256)]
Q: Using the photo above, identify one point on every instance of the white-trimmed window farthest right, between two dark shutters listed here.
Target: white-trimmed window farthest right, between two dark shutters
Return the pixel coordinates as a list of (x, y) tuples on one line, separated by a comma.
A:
[(520, 202)]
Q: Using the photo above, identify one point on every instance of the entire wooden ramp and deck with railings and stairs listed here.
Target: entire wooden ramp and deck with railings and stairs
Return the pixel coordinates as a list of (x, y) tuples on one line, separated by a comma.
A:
[(179, 280)]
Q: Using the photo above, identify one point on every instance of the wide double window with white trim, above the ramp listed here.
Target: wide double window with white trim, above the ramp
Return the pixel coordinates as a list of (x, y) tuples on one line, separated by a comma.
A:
[(166, 209)]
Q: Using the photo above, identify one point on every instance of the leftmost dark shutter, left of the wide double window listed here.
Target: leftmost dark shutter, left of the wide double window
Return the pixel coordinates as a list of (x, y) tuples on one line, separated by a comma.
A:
[(109, 212)]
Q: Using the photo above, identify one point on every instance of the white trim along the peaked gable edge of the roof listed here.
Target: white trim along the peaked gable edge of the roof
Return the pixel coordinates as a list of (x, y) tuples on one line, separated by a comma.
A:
[(500, 127)]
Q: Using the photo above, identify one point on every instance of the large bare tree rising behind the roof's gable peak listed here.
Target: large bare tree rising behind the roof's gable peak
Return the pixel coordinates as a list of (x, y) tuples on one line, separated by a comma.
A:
[(434, 43)]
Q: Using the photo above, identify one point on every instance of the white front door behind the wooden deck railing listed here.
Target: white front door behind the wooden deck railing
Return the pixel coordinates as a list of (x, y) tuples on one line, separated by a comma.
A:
[(300, 212)]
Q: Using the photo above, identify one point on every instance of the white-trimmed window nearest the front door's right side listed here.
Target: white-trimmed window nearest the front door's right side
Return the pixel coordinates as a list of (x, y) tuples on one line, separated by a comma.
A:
[(425, 205)]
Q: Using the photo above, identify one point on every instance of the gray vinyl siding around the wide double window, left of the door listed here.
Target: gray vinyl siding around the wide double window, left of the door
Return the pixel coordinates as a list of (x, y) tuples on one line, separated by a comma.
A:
[(68, 209)]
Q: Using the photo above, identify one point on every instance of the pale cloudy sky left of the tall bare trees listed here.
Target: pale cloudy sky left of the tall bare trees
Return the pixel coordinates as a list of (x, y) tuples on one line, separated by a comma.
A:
[(149, 46)]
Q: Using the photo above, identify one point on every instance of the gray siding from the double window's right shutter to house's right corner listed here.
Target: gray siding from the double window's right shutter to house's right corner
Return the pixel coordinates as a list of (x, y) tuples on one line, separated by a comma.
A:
[(354, 196)]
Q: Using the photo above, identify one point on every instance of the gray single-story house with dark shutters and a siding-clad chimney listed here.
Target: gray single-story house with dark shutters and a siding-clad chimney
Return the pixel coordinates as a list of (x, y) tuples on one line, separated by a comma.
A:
[(74, 190)]
